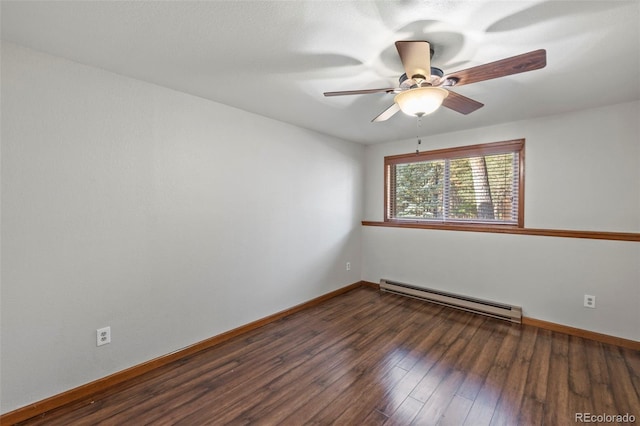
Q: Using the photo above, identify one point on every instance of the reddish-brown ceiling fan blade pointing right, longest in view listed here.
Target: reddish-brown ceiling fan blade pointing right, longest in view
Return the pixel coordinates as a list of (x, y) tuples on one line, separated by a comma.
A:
[(516, 64)]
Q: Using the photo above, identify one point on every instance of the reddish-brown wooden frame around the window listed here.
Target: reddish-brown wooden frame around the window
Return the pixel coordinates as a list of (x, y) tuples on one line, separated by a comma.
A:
[(503, 147)]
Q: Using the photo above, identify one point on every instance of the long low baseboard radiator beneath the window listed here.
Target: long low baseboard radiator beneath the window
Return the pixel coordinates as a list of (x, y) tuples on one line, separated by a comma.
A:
[(470, 304)]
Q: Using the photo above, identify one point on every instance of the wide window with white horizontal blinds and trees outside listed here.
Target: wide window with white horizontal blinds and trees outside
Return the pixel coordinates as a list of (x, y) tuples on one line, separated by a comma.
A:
[(479, 184)]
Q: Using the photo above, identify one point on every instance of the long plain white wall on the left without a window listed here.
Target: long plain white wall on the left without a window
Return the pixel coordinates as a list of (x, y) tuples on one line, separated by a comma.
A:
[(168, 217)]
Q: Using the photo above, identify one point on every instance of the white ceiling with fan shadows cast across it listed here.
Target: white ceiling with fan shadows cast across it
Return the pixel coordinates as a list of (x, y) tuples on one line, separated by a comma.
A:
[(276, 58)]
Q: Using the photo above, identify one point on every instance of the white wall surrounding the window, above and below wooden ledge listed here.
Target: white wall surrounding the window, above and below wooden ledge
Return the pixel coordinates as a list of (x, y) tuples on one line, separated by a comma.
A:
[(582, 173)]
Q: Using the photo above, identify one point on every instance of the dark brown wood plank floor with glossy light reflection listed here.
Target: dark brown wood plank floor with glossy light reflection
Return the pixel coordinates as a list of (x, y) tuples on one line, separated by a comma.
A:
[(366, 358)]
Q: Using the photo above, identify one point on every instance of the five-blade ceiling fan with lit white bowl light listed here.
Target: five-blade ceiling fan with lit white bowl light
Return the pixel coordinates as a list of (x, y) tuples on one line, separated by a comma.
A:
[(423, 88)]
